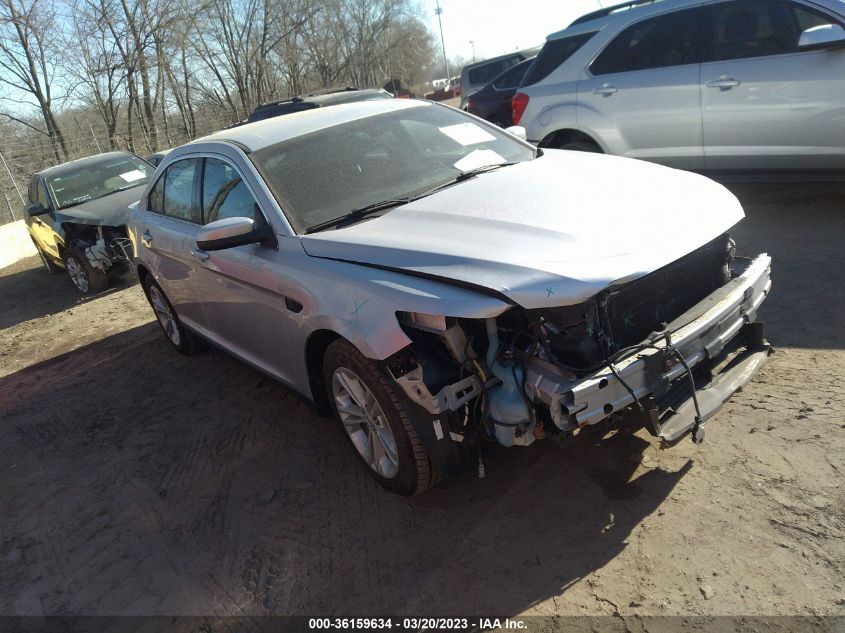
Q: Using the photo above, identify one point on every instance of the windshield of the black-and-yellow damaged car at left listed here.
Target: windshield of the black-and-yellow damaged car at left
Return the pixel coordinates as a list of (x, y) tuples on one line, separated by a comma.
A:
[(98, 179)]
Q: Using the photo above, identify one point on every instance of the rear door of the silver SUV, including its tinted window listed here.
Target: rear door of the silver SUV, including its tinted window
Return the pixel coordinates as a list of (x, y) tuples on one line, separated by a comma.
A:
[(641, 94)]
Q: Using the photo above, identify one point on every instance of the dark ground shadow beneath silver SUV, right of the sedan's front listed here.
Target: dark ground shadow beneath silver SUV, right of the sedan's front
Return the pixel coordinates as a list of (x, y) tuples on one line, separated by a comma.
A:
[(802, 226)]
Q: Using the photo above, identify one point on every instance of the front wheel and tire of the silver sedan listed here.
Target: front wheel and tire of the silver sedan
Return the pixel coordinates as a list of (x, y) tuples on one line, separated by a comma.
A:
[(371, 412)]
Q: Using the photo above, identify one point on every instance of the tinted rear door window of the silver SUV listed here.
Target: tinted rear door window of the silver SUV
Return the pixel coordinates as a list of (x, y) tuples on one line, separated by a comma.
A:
[(660, 42)]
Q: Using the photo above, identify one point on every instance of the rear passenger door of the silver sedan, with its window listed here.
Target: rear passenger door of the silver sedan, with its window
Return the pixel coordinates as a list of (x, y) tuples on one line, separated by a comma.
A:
[(167, 234)]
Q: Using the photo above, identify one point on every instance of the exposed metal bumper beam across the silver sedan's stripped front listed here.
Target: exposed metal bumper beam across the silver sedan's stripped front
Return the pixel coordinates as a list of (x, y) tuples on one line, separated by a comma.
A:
[(720, 334)]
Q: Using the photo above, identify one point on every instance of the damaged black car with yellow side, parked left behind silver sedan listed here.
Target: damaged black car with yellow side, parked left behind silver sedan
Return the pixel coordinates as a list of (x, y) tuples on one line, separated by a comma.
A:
[(76, 215)]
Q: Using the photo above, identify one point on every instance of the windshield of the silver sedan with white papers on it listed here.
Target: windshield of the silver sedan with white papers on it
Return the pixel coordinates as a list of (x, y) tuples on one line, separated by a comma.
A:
[(326, 174)]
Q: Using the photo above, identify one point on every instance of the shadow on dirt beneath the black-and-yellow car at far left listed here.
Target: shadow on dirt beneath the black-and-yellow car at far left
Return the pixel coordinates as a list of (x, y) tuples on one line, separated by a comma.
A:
[(27, 292)]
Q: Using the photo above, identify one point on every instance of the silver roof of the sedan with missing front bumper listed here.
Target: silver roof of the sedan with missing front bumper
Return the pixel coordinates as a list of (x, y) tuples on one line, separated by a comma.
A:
[(261, 134)]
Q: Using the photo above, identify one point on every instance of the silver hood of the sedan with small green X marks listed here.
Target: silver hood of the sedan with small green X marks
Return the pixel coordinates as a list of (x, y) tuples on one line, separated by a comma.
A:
[(549, 232)]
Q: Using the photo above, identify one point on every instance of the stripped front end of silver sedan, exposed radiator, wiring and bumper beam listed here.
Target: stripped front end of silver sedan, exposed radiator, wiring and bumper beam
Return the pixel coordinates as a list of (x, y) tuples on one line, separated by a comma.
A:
[(667, 349)]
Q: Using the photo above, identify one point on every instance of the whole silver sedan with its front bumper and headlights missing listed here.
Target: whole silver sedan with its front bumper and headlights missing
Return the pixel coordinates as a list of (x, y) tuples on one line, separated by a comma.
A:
[(435, 282)]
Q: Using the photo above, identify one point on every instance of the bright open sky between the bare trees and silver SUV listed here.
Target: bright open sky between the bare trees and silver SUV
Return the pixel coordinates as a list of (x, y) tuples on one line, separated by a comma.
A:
[(501, 26)]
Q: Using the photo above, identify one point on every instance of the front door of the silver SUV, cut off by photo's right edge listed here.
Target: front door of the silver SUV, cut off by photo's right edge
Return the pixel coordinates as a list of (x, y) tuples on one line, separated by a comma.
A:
[(767, 105)]
